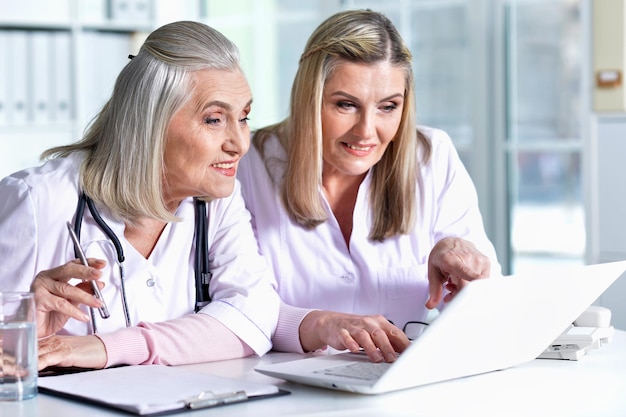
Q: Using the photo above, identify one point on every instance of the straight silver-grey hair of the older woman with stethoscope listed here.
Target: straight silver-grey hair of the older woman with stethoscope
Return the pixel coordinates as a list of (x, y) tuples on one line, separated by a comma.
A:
[(123, 146)]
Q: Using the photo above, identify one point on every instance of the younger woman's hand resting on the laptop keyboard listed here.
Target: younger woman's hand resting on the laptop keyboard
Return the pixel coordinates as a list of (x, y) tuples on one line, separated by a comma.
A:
[(376, 335)]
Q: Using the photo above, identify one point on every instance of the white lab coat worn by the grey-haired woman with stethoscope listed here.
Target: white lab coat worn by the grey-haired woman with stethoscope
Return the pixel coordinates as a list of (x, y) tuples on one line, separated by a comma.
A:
[(35, 205)]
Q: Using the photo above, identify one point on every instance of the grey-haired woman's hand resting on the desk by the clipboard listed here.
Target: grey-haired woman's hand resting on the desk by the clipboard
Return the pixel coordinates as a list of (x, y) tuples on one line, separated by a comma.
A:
[(78, 351)]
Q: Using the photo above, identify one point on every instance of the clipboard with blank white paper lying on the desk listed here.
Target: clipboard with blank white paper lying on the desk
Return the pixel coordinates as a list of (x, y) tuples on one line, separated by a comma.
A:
[(151, 390)]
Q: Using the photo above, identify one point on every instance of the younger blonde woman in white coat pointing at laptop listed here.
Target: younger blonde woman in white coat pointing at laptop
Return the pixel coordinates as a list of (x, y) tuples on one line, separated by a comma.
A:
[(364, 218)]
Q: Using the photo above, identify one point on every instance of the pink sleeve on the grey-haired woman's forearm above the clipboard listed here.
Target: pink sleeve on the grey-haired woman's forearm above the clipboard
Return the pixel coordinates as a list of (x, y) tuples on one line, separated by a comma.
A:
[(190, 339)]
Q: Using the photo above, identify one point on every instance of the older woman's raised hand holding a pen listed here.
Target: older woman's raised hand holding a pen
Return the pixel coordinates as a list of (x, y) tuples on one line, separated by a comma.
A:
[(57, 300)]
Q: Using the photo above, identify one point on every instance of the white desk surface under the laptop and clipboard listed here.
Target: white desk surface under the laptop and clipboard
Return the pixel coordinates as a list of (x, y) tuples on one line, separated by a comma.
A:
[(593, 386)]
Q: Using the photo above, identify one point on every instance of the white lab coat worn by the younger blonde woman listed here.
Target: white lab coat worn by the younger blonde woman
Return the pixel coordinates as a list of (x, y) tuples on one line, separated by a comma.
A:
[(315, 268)]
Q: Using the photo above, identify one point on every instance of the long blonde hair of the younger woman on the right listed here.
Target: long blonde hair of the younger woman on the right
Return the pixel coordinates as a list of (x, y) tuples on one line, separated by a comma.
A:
[(362, 36)]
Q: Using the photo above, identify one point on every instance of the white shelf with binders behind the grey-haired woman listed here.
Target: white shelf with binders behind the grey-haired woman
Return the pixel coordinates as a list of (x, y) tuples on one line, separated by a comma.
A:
[(58, 62)]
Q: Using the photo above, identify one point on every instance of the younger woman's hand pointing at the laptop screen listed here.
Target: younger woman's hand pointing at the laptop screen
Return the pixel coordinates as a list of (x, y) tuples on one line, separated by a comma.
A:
[(453, 262)]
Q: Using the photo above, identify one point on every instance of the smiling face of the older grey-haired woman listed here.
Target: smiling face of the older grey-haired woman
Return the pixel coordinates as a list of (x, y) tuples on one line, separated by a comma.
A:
[(207, 137)]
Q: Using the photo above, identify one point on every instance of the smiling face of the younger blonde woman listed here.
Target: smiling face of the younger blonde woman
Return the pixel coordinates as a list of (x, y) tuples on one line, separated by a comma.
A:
[(361, 112)]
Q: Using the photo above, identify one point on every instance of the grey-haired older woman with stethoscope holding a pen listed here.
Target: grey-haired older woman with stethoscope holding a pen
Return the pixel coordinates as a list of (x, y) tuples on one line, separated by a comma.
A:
[(151, 187)]
